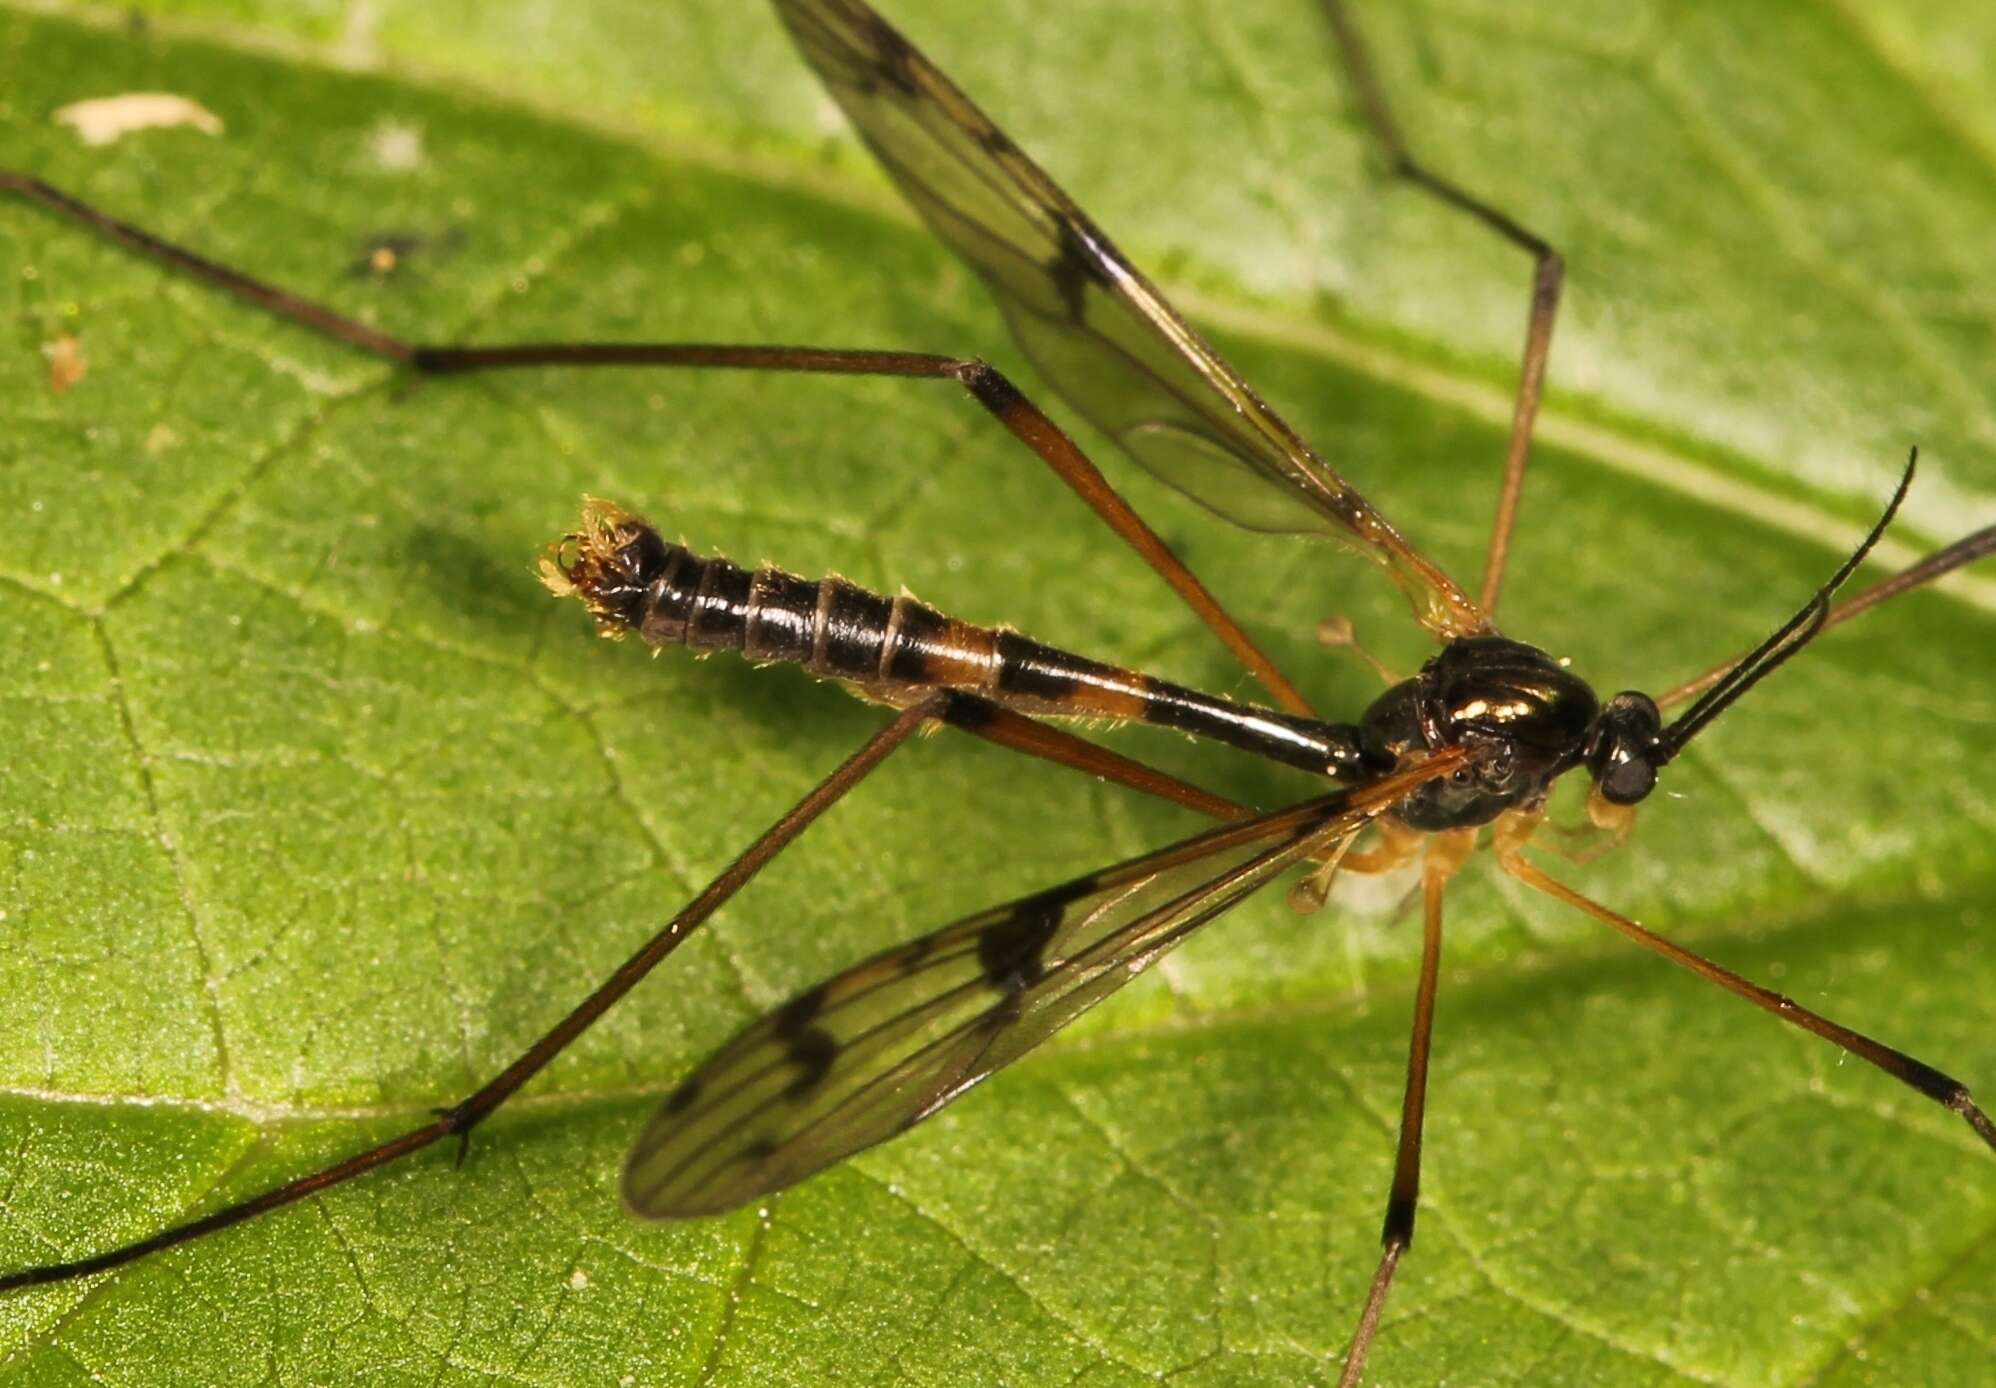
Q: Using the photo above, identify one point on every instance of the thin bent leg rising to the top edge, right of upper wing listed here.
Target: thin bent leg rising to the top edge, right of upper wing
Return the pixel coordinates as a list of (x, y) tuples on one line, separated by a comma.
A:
[(1546, 281)]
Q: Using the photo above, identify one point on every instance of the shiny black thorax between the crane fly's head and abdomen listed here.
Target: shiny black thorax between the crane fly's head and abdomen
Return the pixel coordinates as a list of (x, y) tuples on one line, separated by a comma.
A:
[(1524, 718)]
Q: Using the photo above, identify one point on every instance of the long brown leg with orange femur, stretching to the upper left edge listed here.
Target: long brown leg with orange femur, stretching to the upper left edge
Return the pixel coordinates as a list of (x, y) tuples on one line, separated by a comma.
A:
[(1003, 400)]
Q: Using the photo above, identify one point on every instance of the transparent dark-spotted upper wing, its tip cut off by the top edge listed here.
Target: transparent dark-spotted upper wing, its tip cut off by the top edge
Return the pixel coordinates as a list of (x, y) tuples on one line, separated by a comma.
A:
[(1093, 325)]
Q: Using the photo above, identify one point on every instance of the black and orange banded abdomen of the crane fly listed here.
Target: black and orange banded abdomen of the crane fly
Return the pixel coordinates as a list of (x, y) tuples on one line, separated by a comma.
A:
[(893, 648)]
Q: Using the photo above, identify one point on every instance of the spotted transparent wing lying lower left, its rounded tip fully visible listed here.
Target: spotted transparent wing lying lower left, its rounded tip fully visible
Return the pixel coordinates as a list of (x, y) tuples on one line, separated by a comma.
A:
[(887, 1043)]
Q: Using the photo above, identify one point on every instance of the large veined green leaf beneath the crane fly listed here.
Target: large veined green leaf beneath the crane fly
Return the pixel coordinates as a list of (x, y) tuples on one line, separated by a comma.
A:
[(316, 810)]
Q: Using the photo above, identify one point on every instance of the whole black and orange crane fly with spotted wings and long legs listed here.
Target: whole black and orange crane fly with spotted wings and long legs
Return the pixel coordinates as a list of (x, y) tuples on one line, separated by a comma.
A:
[(1472, 742)]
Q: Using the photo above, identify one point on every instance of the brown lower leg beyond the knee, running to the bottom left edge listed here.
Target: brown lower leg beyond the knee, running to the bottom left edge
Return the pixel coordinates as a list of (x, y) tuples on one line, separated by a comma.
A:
[(462, 1117)]
